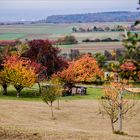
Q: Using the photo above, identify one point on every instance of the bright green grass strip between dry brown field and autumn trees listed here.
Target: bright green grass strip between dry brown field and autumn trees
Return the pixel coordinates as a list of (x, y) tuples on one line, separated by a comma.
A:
[(32, 94)]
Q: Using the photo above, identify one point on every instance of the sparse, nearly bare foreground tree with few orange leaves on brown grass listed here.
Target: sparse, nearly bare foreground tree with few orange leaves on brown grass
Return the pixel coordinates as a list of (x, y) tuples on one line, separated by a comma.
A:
[(116, 105)]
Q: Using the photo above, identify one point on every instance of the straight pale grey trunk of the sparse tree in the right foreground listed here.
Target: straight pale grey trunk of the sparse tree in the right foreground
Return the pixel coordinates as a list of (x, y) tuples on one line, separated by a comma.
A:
[(120, 112)]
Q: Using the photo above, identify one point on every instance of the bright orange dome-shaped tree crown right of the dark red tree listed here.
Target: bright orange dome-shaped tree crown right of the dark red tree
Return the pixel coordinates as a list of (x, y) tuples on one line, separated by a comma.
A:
[(82, 70)]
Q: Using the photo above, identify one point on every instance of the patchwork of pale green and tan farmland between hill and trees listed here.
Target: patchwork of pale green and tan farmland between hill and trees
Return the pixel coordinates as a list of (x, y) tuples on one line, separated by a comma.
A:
[(55, 31)]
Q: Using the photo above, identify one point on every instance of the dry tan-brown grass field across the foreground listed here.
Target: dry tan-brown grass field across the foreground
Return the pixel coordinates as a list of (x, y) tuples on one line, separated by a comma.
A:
[(77, 120)]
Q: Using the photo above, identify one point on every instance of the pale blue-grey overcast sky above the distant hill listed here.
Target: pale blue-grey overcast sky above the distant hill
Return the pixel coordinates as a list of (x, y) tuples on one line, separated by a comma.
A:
[(15, 10)]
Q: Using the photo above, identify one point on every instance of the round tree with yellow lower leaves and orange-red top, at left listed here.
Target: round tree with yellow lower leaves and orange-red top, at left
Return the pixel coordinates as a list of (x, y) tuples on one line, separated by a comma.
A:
[(18, 72)]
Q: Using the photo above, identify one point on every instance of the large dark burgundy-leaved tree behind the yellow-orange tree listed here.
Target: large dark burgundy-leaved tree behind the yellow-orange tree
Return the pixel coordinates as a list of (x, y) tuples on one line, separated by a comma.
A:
[(43, 52)]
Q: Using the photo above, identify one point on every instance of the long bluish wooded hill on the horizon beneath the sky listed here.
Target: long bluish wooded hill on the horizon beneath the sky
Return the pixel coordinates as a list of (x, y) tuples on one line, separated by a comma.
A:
[(122, 16)]
